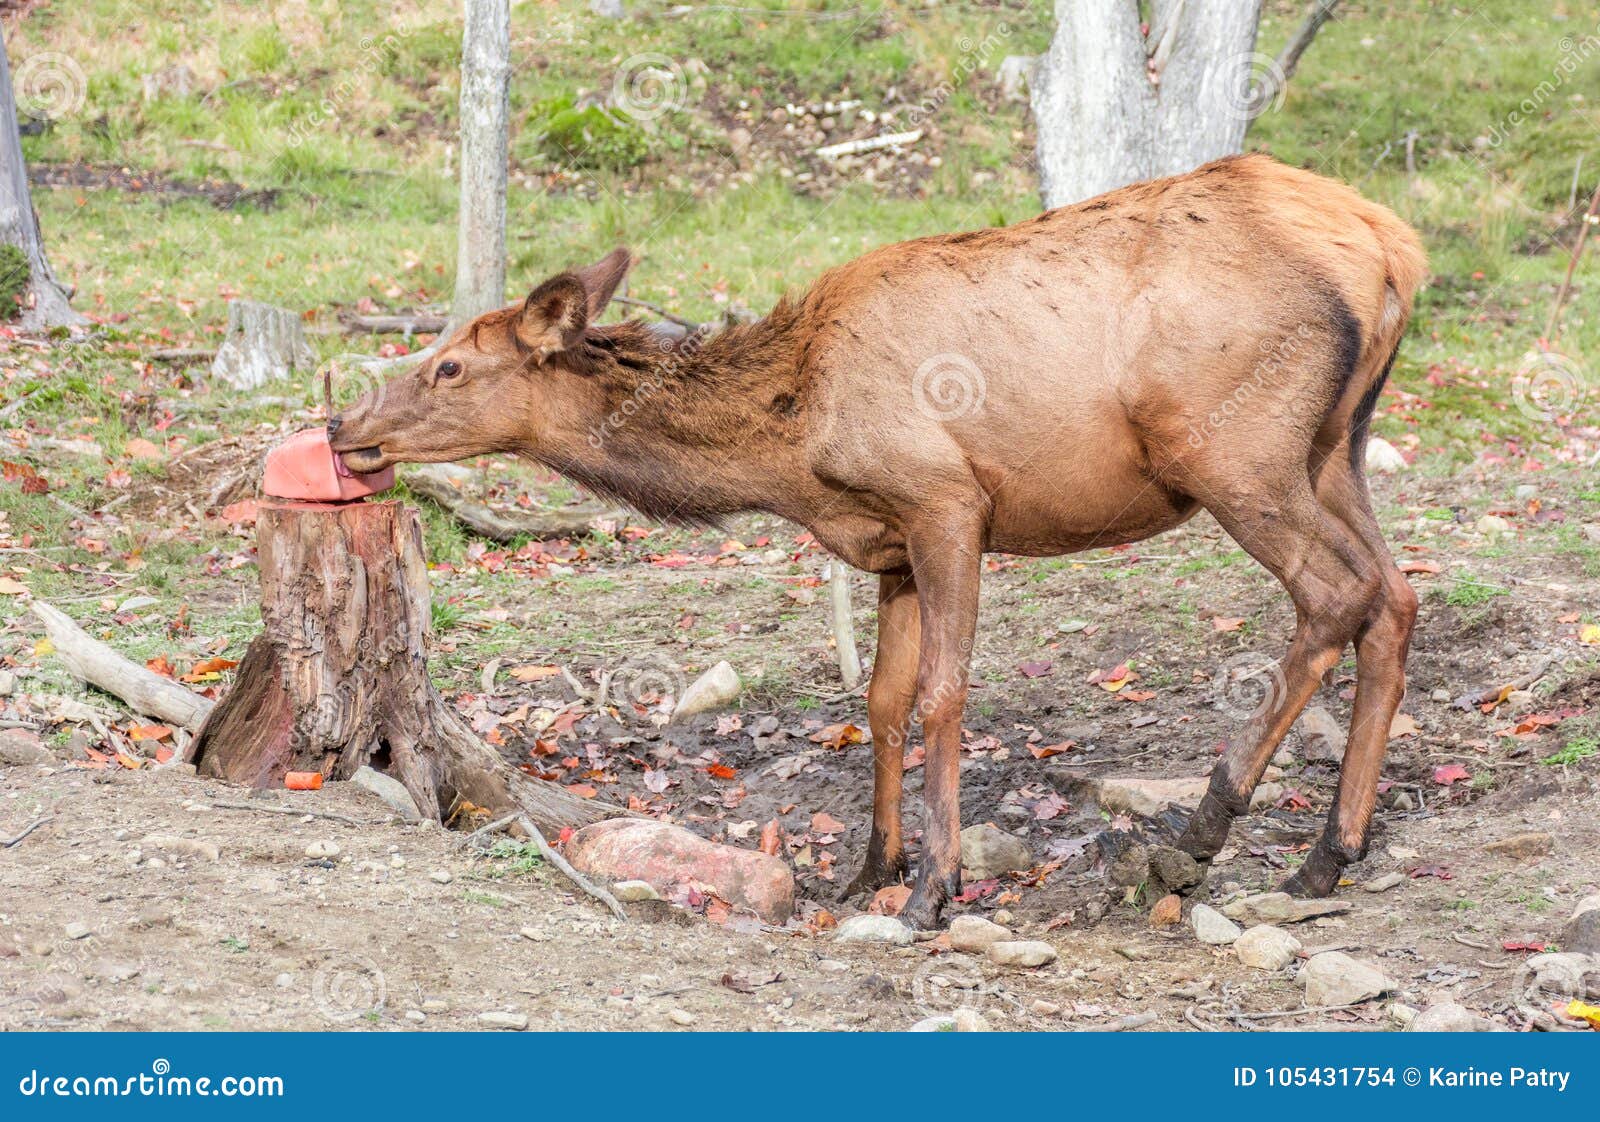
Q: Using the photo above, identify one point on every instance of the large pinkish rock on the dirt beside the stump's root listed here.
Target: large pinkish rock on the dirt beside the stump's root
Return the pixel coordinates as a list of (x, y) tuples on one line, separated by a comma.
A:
[(641, 849)]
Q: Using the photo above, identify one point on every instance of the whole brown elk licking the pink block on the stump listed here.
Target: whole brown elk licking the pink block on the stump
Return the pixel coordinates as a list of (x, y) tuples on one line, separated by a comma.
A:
[(1086, 379)]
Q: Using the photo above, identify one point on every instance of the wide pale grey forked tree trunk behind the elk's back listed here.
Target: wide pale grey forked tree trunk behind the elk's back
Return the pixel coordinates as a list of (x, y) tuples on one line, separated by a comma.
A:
[(1116, 106)]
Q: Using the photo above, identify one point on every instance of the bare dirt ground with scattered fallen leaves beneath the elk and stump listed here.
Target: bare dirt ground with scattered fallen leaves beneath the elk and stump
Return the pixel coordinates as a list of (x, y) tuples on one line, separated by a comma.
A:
[(106, 923)]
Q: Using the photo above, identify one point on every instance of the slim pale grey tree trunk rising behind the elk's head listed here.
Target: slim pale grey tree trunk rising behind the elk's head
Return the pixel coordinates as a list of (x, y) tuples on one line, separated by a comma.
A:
[(486, 151)]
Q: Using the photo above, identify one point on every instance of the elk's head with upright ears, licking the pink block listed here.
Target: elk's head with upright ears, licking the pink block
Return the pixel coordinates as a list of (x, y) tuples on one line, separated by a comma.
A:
[(492, 387)]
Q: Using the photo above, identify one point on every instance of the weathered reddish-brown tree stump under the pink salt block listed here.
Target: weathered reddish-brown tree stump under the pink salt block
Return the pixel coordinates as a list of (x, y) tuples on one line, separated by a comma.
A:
[(338, 678)]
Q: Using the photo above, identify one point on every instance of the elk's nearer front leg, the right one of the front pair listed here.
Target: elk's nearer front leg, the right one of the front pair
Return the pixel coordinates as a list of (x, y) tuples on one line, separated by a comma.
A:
[(948, 572)]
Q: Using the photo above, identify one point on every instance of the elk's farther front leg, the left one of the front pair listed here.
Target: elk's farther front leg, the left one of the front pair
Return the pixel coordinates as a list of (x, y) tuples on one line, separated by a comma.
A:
[(889, 713)]
